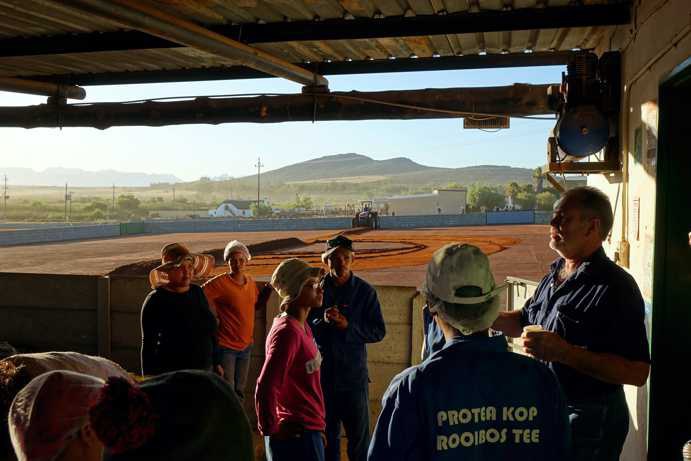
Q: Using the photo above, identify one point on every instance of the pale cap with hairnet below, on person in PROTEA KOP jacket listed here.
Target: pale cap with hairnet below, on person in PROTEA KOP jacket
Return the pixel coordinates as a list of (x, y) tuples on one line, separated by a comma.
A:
[(459, 275)]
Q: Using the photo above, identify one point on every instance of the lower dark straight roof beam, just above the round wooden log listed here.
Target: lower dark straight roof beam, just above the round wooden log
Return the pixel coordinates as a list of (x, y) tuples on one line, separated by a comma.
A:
[(325, 68)]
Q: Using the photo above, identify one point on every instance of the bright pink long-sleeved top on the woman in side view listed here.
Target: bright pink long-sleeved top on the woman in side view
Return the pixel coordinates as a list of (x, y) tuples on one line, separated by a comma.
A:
[(289, 387)]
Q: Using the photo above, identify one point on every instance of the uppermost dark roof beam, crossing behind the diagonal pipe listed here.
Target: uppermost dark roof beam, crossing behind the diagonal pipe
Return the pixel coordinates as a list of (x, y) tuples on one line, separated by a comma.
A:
[(338, 29)]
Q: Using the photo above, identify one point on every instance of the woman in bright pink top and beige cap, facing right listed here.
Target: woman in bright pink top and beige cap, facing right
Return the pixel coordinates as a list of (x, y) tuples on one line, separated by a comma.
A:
[(288, 398)]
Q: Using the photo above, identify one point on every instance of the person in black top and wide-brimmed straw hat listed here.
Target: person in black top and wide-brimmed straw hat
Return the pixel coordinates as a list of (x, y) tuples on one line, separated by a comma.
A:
[(178, 329)]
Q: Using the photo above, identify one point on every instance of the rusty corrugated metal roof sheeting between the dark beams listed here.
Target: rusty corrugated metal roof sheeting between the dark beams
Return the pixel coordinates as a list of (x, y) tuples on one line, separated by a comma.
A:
[(53, 20)]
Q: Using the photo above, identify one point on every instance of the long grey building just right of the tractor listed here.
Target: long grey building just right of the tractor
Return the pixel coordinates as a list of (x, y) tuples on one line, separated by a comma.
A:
[(442, 201)]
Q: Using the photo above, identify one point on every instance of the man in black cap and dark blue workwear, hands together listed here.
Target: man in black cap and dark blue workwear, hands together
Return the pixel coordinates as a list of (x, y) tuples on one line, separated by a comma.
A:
[(349, 318)]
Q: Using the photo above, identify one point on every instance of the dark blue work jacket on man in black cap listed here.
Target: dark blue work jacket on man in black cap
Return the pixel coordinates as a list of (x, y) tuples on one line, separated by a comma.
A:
[(344, 355)]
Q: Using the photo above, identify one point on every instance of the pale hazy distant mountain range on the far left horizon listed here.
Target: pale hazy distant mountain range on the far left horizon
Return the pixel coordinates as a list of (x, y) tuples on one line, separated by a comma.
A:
[(76, 177)]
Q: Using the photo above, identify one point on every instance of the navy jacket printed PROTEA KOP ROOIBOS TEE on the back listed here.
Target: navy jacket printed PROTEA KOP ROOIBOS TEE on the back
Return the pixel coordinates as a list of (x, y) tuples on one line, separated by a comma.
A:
[(473, 399)]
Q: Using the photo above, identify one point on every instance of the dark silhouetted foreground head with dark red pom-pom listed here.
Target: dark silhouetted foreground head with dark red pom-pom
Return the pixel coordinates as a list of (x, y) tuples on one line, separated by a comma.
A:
[(179, 416)]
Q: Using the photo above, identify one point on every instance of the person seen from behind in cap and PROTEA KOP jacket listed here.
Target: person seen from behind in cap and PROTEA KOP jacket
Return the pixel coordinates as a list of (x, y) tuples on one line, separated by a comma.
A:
[(473, 399)]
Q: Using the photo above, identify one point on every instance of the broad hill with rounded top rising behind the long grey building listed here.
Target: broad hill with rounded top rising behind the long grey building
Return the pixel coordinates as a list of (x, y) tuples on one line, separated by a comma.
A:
[(360, 168)]
